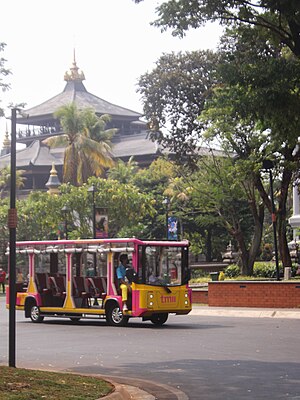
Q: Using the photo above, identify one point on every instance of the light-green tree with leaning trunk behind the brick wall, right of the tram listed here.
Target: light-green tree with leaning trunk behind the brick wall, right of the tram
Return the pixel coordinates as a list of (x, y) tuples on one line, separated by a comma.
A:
[(220, 194)]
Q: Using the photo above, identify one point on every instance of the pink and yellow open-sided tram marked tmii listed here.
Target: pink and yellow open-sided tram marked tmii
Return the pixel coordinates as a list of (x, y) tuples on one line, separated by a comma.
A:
[(77, 279)]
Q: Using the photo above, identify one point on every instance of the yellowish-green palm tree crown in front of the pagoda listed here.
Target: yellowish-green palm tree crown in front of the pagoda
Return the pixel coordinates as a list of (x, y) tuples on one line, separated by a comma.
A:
[(87, 143)]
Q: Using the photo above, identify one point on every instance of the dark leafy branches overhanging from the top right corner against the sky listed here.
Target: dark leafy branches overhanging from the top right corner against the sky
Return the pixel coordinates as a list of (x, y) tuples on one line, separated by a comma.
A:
[(280, 18)]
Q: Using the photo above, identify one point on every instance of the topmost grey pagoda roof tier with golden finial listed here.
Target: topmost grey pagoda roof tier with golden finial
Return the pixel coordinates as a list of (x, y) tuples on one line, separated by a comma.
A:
[(76, 92)]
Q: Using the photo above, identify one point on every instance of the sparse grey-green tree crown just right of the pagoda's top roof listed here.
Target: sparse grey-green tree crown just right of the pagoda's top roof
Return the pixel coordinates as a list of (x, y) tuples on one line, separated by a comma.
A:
[(174, 94)]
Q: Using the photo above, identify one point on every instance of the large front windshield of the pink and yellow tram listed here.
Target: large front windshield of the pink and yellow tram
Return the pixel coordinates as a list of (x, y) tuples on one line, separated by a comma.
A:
[(162, 266)]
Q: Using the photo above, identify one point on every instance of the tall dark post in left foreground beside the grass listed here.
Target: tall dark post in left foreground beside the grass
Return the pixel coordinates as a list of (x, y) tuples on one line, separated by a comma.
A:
[(12, 225)]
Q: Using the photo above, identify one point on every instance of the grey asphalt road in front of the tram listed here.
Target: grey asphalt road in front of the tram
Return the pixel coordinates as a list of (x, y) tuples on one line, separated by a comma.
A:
[(204, 357)]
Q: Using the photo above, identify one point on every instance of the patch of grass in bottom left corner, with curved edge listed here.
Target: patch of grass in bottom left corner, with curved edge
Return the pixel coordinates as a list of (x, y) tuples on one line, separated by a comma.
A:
[(26, 384)]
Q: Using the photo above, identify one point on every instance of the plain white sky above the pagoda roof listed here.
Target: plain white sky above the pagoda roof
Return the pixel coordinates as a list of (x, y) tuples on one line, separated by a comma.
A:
[(114, 43)]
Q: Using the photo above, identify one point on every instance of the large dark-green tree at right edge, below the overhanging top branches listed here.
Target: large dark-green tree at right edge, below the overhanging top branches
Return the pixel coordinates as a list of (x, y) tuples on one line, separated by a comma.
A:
[(255, 114)]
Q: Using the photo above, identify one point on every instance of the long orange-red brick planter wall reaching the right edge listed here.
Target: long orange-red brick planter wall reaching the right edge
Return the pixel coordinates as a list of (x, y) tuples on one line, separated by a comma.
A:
[(254, 294)]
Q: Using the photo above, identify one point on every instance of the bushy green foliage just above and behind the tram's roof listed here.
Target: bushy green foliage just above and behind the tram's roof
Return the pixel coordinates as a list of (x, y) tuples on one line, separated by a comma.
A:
[(40, 216)]
